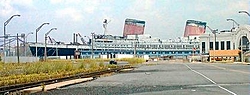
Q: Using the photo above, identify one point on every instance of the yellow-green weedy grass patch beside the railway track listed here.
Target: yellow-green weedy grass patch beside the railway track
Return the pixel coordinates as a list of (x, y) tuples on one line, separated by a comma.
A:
[(13, 73)]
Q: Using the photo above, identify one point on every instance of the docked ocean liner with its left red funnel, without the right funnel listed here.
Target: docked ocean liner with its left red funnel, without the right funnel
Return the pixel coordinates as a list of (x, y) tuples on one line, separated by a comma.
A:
[(133, 42)]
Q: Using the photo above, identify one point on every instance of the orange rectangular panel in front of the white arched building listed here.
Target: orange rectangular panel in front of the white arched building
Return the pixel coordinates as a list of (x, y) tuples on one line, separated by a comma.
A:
[(224, 53)]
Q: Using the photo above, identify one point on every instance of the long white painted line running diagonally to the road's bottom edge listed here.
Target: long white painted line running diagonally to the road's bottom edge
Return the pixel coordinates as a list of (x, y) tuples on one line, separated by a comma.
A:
[(231, 92)]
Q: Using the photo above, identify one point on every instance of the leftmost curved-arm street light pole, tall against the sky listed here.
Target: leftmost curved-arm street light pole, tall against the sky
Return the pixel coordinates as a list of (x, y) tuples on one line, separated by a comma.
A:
[(4, 32)]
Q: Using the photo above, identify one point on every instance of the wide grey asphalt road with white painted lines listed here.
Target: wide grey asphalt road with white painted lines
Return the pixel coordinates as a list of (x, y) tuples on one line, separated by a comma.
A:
[(163, 78)]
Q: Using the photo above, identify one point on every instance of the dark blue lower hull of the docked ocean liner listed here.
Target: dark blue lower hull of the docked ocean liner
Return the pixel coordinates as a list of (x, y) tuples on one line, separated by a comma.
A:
[(86, 51)]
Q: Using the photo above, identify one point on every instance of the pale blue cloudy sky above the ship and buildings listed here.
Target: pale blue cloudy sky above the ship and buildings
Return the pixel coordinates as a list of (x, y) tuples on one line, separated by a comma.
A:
[(165, 19)]
